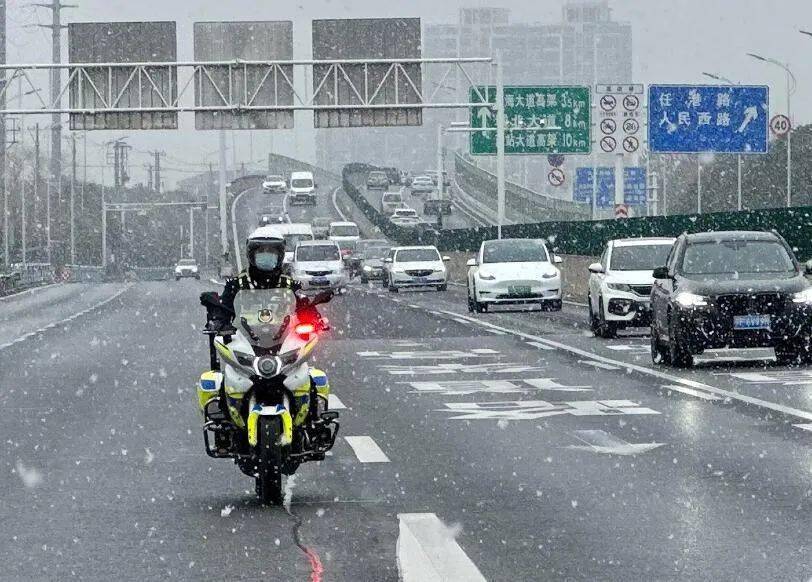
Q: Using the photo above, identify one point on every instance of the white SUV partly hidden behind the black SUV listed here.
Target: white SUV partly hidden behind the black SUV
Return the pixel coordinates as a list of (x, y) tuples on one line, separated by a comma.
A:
[(620, 284)]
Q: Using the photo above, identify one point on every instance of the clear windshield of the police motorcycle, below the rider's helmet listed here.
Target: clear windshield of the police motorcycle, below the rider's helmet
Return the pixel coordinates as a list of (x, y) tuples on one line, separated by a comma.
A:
[(264, 313)]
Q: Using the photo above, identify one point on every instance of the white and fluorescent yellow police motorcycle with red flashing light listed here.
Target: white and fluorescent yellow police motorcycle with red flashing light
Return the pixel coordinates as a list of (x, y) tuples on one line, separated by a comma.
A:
[(262, 404)]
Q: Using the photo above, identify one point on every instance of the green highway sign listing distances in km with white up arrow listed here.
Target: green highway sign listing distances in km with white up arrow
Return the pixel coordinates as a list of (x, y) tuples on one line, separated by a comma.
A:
[(531, 109)]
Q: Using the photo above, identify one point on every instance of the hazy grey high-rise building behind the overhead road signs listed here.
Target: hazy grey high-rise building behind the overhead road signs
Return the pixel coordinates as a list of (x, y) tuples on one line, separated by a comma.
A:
[(585, 47)]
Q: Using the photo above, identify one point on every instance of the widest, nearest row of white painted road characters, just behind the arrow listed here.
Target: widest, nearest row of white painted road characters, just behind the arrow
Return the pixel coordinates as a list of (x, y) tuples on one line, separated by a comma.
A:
[(536, 409)]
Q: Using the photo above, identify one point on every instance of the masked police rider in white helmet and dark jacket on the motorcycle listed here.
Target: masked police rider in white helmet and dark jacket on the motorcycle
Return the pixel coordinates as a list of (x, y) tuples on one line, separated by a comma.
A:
[(265, 263)]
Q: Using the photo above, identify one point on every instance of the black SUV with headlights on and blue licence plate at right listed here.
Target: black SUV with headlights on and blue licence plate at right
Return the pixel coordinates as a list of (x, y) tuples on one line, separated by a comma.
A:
[(730, 290)]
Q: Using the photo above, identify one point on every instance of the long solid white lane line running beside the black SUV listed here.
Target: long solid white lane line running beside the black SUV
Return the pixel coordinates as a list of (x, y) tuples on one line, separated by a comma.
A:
[(787, 410)]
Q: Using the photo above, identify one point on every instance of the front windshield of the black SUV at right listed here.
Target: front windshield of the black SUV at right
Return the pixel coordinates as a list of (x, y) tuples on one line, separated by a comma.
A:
[(737, 257)]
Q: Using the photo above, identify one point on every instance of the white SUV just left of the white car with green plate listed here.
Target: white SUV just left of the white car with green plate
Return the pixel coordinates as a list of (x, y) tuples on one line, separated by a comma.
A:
[(415, 267)]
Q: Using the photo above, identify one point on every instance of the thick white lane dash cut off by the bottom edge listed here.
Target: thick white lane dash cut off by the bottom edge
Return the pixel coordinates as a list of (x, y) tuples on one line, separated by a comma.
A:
[(428, 552)]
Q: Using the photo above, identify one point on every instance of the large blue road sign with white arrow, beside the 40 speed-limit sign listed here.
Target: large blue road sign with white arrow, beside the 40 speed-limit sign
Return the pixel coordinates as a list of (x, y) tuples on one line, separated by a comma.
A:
[(708, 118)]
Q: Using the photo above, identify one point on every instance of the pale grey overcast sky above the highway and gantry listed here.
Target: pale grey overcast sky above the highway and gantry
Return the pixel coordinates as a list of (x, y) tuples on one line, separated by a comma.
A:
[(674, 41)]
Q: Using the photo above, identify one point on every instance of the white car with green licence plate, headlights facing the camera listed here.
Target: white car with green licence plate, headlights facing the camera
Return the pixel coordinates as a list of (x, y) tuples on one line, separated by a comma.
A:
[(513, 271)]
